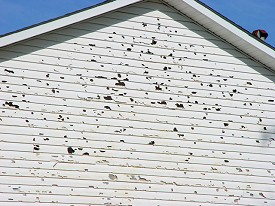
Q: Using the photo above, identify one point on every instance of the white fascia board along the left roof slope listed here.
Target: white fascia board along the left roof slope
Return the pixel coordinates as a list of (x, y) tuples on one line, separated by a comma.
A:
[(64, 21)]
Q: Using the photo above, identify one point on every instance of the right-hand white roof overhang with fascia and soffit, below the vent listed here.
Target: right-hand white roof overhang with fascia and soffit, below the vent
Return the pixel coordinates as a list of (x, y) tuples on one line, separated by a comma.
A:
[(232, 34)]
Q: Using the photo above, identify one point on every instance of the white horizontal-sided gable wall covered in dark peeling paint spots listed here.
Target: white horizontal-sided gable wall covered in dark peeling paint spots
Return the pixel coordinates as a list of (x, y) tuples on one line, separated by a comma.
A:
[(141, 106)]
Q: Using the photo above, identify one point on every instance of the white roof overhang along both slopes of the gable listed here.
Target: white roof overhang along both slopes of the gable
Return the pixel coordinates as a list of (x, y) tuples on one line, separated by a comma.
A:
[(195, 10)]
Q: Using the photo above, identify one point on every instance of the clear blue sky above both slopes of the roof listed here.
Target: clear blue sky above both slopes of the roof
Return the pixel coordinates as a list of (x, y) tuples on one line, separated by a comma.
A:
[(250, 14)]
